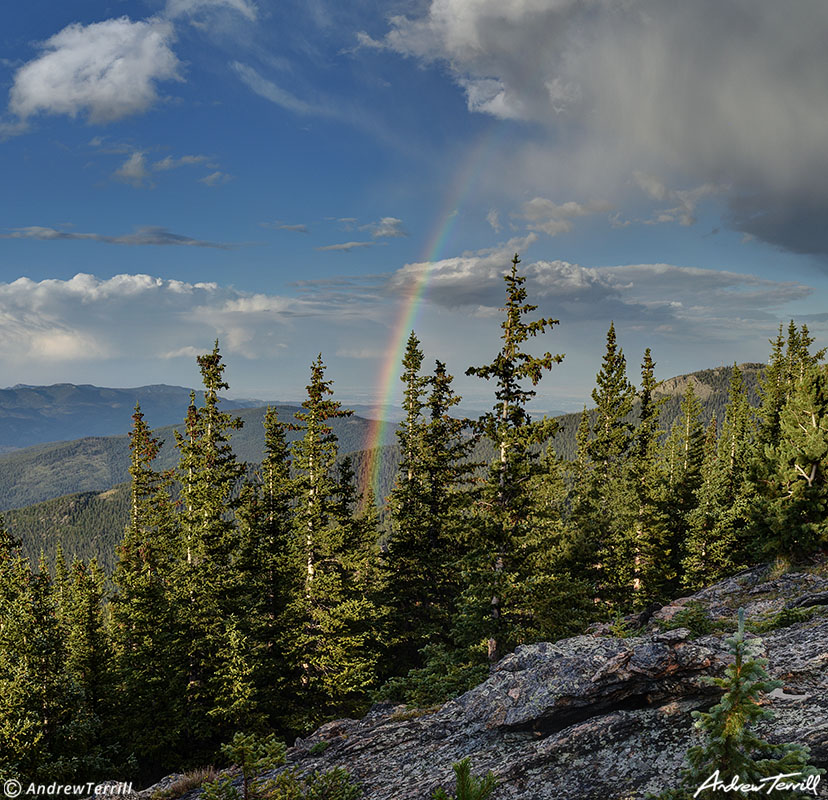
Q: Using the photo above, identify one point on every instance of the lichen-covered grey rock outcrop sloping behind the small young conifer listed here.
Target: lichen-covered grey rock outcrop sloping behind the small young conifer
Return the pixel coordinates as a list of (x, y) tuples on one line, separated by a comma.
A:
[(595, 716)]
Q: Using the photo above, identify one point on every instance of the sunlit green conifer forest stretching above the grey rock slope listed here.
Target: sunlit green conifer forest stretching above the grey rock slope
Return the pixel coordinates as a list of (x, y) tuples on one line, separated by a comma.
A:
[(270, 598)]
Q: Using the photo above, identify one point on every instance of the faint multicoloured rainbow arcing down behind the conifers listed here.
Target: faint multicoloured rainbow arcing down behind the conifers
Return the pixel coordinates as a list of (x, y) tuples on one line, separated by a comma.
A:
[(390, 370)]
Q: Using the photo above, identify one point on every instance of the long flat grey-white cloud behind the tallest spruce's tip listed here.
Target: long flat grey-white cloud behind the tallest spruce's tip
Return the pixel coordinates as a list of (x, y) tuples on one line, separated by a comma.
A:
[(713, 304)]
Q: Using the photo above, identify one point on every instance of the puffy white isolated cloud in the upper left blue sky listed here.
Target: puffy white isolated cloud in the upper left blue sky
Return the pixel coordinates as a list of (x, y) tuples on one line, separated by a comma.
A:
[(107, 70)]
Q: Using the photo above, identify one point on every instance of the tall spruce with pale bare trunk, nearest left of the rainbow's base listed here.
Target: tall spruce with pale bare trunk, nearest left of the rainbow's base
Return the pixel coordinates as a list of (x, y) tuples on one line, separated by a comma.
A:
[(330, 642)]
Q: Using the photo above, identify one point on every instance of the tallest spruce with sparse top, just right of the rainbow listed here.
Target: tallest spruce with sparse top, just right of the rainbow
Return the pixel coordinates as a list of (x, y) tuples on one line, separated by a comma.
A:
[(494, 600)]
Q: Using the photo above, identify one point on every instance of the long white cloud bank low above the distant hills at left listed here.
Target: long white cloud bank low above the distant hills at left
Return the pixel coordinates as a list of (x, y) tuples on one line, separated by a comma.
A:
[(89, 318)]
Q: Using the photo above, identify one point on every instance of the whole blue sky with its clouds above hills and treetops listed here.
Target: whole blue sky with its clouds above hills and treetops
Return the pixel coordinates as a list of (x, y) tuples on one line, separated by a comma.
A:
[(280, 175)]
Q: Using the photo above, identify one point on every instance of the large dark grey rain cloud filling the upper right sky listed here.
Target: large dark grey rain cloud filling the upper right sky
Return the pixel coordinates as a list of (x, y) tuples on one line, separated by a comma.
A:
[(617, 88)]
